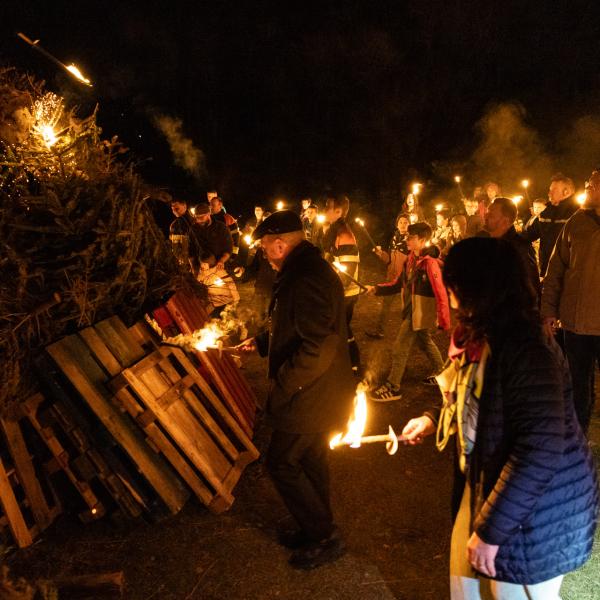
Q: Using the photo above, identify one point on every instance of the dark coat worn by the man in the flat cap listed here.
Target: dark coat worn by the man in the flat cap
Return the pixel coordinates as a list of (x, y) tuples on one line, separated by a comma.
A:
[(312, 386)]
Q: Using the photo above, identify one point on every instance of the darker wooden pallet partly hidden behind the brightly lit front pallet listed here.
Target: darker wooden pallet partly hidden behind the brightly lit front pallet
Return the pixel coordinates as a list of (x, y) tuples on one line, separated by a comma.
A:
[(88, 359)]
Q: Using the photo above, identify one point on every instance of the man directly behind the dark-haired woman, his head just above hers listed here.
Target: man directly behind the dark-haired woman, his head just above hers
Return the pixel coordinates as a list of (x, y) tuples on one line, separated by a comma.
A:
[(499, 223)]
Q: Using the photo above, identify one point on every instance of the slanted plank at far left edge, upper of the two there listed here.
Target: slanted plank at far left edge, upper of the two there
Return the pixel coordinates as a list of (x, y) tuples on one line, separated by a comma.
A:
[(26, 473)]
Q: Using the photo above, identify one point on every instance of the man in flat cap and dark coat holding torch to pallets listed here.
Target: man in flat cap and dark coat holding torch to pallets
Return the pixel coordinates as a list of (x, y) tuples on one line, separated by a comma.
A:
[(311, 384)]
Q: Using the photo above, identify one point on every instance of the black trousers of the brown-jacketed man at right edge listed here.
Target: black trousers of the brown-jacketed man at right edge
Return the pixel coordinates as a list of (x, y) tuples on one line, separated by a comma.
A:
[(583, 352)]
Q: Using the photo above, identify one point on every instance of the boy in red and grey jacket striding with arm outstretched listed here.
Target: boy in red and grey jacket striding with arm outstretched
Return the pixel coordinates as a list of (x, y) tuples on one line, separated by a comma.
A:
[(425, 306)]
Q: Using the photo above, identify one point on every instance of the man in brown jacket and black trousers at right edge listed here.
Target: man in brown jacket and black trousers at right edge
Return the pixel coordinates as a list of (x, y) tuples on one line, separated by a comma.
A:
[(571, 294)]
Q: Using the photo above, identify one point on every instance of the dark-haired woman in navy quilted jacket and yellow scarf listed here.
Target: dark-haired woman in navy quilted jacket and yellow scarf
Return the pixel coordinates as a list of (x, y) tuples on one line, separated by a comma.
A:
[(525, 500)]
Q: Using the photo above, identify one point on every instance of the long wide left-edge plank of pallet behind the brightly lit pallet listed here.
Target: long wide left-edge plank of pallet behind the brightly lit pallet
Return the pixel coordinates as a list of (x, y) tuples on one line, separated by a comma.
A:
[(75, 360)]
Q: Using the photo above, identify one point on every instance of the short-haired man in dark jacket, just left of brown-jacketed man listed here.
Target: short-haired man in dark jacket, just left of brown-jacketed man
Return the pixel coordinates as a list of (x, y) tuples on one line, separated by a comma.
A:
[(547, 226)]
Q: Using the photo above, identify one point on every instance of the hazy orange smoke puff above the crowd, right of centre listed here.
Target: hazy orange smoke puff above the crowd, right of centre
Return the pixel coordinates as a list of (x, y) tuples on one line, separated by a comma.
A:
[(509, 148)]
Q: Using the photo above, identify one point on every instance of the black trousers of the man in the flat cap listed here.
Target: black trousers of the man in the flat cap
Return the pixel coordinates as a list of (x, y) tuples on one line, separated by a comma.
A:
[(298, 464)]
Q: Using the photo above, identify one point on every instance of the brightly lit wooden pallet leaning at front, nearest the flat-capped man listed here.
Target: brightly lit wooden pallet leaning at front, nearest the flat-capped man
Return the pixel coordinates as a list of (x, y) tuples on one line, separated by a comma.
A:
[(186, 420)]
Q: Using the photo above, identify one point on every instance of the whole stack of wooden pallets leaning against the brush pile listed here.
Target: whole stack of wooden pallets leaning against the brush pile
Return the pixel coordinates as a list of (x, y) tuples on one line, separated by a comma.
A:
[(124, 422)]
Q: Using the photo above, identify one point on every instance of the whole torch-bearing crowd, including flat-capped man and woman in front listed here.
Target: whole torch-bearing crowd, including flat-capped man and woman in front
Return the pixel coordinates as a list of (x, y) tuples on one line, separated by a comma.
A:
[(517, 385)]
